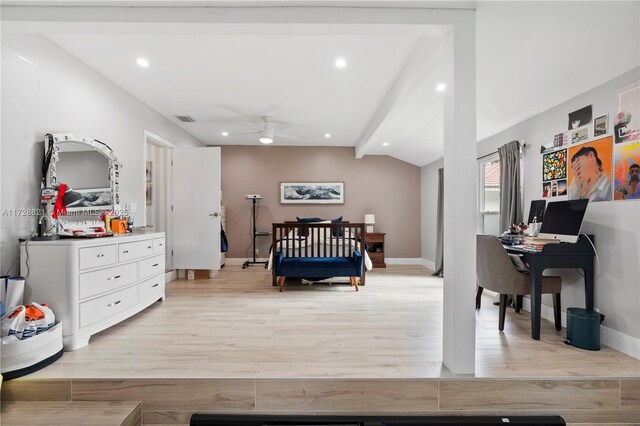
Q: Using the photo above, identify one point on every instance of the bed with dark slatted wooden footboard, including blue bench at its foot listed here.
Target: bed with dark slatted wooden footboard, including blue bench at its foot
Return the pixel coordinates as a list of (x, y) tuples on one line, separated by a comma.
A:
[(318, 251)]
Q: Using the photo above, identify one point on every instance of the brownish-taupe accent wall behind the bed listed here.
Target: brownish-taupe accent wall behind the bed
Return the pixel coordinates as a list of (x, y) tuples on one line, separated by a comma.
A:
[(381, 185)]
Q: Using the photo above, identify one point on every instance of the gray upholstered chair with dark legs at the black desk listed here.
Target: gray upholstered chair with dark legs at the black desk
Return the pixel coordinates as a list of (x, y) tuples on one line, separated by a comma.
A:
[(496, 272)]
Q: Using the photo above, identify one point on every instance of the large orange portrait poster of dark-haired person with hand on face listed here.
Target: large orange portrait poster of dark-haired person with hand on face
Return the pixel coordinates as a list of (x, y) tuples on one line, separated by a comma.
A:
[(589, 170)]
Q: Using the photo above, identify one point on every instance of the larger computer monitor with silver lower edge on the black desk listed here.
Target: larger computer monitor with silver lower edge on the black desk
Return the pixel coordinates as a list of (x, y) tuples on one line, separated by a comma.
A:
[(563, 220)]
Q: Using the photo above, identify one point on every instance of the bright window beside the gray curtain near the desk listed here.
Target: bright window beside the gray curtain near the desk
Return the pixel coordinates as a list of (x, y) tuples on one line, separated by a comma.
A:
[(489, 195)]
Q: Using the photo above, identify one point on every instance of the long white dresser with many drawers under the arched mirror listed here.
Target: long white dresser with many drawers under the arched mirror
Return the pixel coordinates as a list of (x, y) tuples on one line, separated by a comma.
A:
[(92, 284)]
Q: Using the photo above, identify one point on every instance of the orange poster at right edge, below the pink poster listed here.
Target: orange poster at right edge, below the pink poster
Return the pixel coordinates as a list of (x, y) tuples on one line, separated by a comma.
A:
[(626, 171)]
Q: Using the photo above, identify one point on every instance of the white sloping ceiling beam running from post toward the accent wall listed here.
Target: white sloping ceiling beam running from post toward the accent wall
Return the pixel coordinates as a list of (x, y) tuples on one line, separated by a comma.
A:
[(424, 60)]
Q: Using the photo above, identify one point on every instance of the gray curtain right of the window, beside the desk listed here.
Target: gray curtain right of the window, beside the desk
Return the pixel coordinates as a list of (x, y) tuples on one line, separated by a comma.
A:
[(510, 196)]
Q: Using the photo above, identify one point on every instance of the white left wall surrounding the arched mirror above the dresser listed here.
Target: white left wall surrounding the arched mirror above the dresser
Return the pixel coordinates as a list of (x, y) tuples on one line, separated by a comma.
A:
[(47, 90)]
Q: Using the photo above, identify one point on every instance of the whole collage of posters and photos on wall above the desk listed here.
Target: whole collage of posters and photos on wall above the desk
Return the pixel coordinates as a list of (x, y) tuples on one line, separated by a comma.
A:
[(603, 166)]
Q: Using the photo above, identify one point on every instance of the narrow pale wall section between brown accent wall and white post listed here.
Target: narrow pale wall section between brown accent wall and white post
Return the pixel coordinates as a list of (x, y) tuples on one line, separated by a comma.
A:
[(429, 211)]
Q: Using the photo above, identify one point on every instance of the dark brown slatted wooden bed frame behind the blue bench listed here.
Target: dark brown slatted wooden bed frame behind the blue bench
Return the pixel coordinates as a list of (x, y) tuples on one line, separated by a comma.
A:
[(325, 247)]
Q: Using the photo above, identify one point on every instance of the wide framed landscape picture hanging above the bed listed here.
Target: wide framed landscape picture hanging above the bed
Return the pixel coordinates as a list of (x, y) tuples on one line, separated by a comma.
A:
[(312, 193)]
